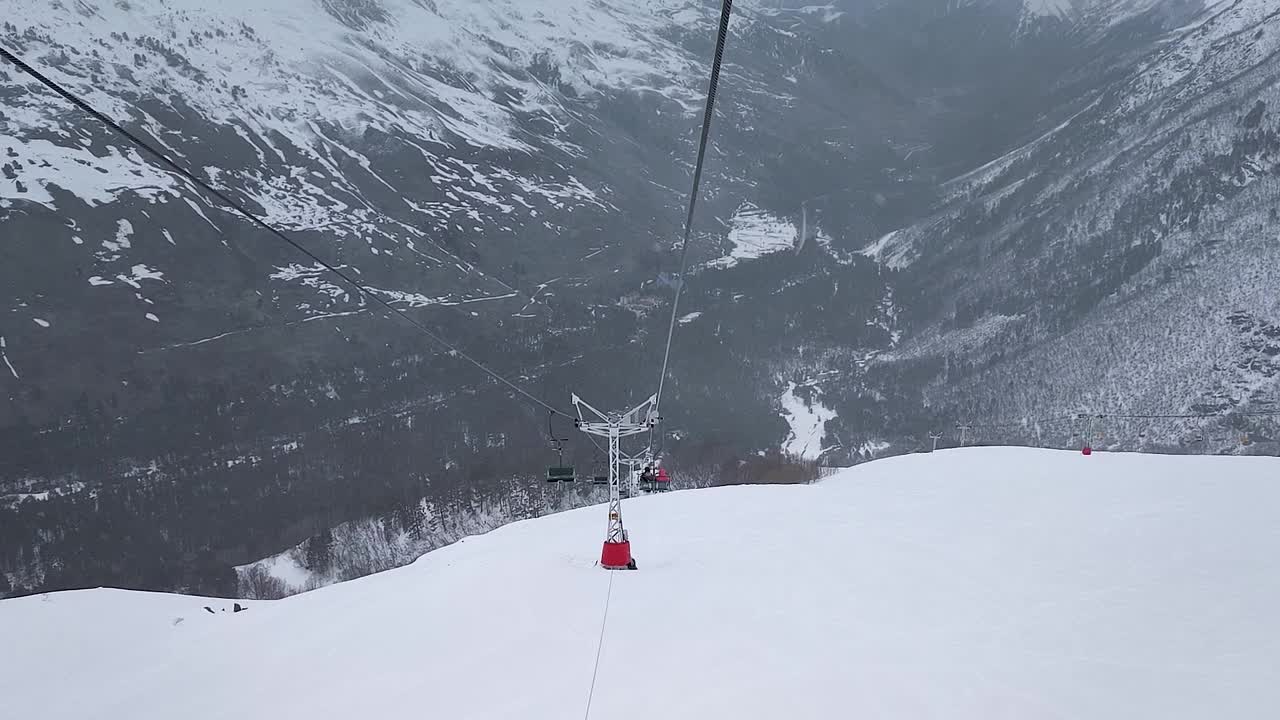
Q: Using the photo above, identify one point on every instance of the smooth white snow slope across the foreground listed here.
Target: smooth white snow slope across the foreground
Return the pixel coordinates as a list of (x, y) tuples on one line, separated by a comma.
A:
[(979, 584)]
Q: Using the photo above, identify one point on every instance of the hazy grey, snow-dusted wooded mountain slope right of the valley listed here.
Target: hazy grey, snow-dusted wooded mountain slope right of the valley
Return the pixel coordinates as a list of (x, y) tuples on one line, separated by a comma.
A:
[(1123, 261)]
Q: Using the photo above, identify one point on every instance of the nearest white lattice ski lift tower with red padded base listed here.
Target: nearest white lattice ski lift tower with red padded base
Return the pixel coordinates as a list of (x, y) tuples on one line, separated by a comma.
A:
[(615, 426)]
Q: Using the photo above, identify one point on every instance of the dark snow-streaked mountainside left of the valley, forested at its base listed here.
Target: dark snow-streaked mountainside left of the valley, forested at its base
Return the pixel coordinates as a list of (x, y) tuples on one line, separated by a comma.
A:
[(514, 175)]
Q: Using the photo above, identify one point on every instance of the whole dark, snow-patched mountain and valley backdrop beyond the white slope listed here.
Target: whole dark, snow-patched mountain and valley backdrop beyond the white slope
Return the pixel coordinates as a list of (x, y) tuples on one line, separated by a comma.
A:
[(916, 212)]
